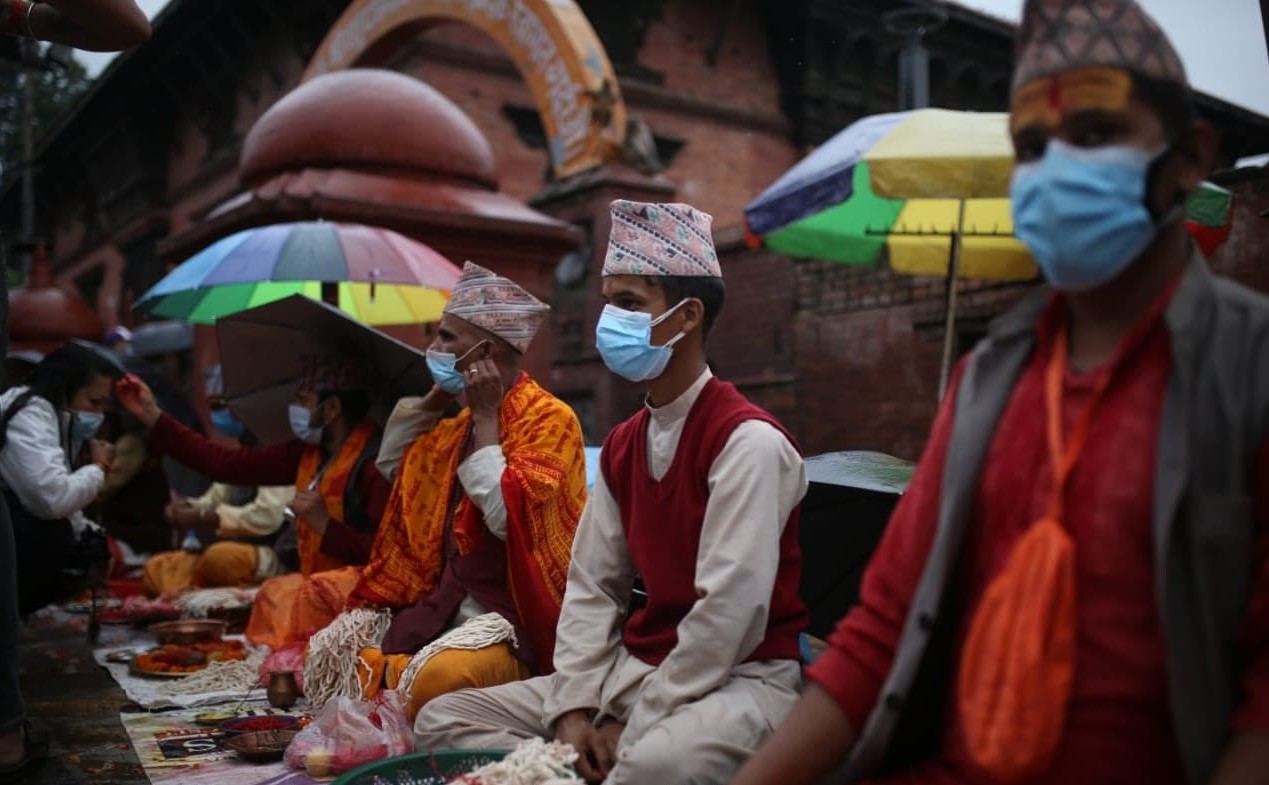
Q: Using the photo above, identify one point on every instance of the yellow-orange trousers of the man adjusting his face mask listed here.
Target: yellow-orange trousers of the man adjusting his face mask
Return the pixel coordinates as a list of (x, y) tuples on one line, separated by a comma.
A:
[(446, 673)]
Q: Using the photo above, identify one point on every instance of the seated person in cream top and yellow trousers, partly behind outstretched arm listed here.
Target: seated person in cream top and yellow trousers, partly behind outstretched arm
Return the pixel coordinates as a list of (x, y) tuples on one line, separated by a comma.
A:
[(247, 522)]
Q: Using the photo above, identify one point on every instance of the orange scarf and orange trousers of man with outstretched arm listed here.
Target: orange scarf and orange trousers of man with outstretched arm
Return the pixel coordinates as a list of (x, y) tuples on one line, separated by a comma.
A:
[(294, 607)]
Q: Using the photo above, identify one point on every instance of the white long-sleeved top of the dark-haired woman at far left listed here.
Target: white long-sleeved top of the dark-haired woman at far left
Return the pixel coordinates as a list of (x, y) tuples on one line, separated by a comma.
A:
[(34, 465)]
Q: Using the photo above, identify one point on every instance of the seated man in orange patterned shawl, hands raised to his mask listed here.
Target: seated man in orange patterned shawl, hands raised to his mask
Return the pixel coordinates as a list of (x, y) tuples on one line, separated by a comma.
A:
[(474, 552)]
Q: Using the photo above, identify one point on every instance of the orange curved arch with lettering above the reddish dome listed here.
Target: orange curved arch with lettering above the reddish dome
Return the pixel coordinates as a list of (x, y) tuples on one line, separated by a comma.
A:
[(551, 42)]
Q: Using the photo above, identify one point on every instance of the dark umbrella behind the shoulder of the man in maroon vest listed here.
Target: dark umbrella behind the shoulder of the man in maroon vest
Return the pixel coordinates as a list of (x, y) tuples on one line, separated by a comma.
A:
[(845, 514)]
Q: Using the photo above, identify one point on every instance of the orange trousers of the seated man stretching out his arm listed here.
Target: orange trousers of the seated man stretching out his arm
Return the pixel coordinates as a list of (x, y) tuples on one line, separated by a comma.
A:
[(291, 608)]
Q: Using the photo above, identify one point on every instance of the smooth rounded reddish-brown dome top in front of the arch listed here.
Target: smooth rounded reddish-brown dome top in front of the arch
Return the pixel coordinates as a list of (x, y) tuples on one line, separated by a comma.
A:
[(367, 119)]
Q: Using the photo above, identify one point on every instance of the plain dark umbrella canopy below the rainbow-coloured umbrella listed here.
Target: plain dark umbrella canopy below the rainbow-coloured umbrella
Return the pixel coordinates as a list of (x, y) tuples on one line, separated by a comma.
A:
[(263, 352)]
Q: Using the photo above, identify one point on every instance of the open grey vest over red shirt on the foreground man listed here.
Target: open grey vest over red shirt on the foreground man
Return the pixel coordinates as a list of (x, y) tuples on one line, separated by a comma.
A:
[(1216, 412)]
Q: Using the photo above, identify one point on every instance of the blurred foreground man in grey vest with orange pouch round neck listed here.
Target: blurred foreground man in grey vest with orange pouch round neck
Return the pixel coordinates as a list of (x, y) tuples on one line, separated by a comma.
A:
[(1075, 587)]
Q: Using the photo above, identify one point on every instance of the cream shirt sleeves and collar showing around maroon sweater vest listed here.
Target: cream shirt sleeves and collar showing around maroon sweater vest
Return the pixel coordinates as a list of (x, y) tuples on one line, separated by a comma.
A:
[(756, 483)]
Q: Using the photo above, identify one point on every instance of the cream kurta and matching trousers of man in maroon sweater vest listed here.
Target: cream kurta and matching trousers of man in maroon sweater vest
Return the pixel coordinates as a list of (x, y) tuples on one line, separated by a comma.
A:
[(697, 716)]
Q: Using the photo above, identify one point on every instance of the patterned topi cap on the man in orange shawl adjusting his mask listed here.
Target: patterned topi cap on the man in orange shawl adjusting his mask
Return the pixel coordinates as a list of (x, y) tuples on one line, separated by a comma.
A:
[(498, 305)]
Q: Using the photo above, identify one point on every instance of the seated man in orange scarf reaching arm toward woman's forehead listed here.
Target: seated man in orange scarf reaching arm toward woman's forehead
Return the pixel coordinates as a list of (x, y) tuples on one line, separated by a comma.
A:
[(339, 498)]
